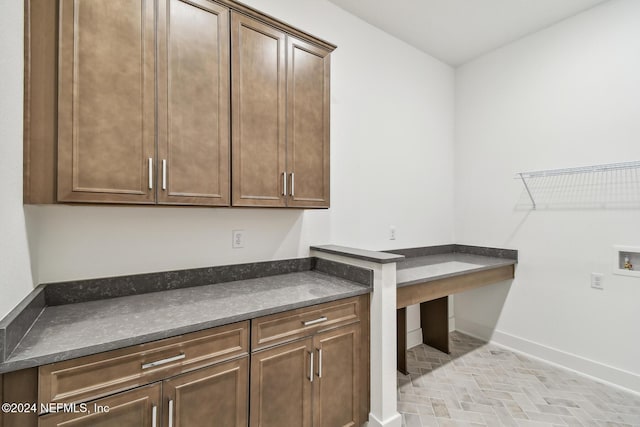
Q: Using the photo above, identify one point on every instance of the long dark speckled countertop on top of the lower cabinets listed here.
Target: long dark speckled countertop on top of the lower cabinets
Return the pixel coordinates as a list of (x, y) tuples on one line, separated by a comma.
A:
[(67, 331)]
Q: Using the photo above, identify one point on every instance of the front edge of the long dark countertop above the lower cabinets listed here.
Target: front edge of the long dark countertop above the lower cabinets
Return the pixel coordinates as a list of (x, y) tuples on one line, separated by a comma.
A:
[(17, 364)]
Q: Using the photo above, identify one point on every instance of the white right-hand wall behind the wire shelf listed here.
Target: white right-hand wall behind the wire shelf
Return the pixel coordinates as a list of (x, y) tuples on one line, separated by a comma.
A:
[(566, 96)]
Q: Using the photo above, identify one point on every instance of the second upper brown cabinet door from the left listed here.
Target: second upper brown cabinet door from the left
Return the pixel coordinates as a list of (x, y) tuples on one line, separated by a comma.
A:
[(193, 103)]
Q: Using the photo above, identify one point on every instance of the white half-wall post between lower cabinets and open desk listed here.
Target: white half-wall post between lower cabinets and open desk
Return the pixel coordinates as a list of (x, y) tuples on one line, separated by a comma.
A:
[(383, 366)]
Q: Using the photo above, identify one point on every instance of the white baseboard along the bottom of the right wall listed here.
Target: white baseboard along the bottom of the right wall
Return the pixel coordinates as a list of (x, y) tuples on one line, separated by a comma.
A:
[(619, 378)]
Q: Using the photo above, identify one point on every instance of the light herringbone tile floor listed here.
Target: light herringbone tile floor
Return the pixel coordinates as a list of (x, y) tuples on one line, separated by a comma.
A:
[(481, 384)]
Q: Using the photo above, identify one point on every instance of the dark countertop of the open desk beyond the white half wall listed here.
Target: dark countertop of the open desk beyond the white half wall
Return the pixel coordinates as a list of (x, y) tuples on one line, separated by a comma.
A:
[(427, 268)]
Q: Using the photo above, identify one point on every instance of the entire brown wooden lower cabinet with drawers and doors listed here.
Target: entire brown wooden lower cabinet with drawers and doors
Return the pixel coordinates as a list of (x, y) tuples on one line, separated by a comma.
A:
[(306, 368)]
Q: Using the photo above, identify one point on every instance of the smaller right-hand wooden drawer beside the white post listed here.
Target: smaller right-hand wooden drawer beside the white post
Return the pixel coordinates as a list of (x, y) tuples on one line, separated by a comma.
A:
[(278, 328)]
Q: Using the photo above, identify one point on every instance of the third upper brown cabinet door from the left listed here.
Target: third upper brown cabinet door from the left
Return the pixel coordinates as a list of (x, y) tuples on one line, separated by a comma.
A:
[(258, 113)]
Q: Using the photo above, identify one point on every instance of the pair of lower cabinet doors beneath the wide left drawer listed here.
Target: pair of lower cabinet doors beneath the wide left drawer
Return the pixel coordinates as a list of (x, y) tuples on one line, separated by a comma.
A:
[(217, 394)]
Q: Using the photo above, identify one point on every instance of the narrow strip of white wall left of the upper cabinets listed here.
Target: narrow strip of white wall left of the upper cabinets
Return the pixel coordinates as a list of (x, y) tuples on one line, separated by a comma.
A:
[(15, 272)]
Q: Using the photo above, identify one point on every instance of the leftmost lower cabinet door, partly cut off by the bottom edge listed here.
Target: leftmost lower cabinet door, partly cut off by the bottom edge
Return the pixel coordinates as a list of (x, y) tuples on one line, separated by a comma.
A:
[(136, 408)]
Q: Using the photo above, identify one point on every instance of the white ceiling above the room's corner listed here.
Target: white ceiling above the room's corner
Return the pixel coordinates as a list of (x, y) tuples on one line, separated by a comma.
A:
[(456, 31)]
